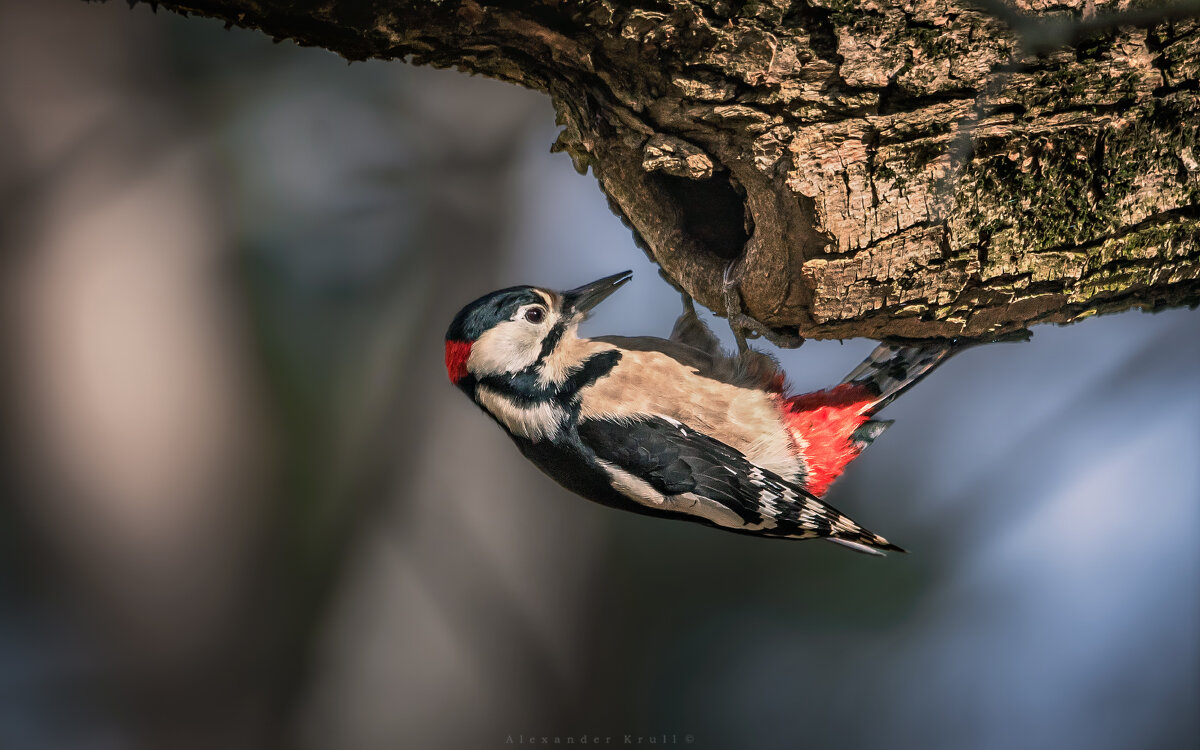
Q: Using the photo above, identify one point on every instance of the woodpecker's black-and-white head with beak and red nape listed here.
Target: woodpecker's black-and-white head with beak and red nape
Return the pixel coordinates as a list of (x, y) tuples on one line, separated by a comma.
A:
[(512, 331)]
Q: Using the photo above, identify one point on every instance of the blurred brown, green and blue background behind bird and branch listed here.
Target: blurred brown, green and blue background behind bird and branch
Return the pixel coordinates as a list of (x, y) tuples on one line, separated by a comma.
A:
[(243, 508)]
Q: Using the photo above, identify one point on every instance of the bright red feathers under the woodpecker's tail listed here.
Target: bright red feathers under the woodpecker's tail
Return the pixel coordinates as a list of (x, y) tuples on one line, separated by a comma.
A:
[(825, 422)]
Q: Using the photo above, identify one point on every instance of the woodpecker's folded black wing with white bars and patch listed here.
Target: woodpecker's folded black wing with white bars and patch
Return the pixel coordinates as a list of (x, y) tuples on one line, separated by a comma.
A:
[(667, 465)]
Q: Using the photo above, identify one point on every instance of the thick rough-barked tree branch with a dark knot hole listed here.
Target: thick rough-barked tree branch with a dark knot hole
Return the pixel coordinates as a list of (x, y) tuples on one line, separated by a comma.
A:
[(884, 169)]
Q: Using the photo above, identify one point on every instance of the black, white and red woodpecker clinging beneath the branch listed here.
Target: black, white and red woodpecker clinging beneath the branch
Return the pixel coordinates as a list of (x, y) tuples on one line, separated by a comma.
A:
[(674, 428)]
